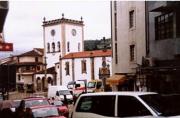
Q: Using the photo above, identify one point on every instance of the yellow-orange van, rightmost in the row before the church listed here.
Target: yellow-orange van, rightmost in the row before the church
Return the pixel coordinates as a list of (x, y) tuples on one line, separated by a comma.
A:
[(95, 86)]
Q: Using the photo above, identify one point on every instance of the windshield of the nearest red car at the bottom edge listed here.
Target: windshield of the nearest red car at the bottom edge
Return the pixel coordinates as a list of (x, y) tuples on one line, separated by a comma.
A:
[(45, 112)]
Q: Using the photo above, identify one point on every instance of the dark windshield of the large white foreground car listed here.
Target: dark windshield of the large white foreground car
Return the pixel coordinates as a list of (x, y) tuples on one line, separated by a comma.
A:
[(163, 105)]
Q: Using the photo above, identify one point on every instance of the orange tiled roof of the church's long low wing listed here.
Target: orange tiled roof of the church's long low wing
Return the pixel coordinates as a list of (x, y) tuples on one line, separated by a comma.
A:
[(88, 54)]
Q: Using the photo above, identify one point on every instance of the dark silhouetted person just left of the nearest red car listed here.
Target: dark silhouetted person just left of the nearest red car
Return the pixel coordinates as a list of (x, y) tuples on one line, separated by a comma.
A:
[(20, 111)]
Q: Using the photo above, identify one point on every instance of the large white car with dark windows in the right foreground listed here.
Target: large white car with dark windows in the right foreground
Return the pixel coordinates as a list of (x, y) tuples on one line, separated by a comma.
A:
[(122, 104)]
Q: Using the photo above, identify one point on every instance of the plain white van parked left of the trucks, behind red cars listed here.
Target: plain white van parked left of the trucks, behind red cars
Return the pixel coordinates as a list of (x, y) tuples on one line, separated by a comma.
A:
[(58, 92)]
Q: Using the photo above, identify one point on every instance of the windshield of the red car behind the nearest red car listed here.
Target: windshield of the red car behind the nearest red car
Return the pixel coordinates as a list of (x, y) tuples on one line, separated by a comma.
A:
[(30, 103)]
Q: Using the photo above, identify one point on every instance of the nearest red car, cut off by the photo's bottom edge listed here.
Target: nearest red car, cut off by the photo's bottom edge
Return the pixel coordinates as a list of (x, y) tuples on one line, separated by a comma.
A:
[(46, 111)]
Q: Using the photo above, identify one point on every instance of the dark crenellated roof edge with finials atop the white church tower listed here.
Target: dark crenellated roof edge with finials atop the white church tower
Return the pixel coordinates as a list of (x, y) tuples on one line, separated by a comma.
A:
[(62, 20)]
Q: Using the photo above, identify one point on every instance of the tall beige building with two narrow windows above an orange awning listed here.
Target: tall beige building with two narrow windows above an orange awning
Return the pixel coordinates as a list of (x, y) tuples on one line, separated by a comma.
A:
[(128, 41)]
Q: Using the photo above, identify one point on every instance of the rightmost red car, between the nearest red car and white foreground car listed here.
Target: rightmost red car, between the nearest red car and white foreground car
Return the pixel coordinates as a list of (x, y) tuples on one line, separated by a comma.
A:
[(62, 108)]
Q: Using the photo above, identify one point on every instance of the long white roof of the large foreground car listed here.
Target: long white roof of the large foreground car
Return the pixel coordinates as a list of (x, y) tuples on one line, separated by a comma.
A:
[(129, 93)]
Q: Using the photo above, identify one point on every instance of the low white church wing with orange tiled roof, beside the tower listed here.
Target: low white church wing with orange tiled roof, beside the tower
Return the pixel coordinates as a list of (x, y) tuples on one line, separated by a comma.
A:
[(81, 66)]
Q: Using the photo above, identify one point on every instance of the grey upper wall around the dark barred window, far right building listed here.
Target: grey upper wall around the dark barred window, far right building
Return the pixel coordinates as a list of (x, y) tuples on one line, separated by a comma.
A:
[(164, 49)]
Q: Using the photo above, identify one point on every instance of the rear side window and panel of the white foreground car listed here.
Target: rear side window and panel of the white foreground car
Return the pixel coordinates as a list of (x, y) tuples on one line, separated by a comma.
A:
[(95, 107)]
